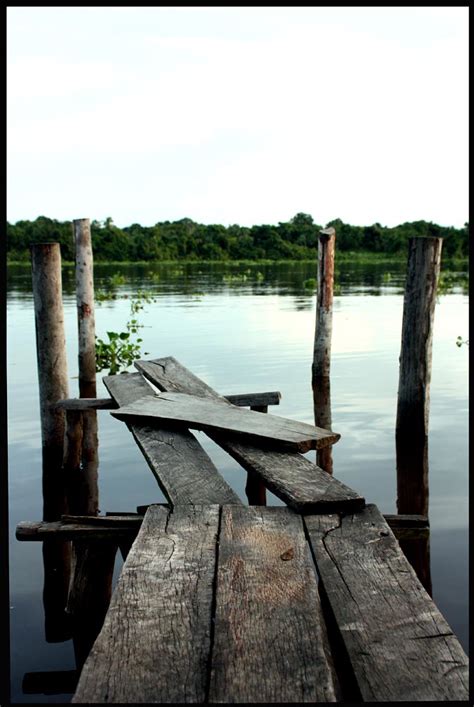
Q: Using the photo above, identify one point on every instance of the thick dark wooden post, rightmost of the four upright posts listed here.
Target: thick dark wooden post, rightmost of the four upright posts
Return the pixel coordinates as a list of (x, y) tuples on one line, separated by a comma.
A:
[(424, 259)]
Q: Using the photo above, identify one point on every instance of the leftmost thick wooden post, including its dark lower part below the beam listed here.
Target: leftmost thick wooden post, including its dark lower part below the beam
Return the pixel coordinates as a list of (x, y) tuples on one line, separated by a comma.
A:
[(53, 386)]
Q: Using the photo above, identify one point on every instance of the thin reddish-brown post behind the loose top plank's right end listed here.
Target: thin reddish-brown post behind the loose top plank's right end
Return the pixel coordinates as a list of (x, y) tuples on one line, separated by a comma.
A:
[(322, 341)]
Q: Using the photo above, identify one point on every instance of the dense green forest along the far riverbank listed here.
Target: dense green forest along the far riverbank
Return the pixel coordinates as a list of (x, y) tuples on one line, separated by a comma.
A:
[(187, 240)]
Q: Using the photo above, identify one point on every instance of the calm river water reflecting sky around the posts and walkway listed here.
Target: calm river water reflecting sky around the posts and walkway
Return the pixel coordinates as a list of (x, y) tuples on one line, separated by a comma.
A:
[(246, 329)]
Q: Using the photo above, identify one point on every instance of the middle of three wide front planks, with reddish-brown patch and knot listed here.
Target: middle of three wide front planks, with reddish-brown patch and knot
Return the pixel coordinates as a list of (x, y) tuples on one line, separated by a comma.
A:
[(270, 642)]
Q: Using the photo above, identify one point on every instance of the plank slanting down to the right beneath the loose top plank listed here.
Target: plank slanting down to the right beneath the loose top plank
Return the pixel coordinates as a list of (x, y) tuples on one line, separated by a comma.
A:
[(290, 476)]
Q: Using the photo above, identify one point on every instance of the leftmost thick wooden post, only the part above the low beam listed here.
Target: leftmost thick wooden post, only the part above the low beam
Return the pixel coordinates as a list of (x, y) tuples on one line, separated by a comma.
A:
[(52, 370)]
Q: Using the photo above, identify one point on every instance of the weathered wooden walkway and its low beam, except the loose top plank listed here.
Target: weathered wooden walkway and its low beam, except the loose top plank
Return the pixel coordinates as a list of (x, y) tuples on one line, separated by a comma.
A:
[(220, 602)]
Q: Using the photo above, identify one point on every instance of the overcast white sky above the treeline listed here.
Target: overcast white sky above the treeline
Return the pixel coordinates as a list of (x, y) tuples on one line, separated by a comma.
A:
[(238, 114)]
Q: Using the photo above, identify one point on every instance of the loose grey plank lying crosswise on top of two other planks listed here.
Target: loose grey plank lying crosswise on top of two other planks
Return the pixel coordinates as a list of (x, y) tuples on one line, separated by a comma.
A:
[(218, 416)]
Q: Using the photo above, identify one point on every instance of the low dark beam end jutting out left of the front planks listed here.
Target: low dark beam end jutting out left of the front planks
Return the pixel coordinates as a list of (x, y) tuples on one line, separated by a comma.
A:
[(59, 530)]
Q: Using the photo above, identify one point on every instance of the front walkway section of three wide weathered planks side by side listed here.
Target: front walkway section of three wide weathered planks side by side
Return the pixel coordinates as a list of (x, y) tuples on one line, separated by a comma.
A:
[(222, 605)]
